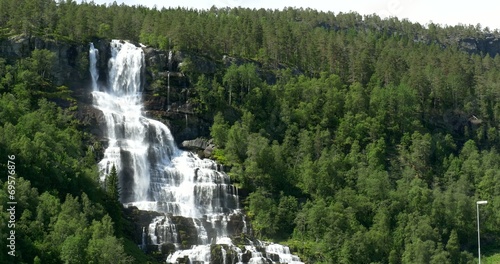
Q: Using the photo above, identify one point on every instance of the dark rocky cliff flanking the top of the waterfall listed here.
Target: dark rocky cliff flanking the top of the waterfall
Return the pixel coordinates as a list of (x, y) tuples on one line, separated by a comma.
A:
[(162, 70)]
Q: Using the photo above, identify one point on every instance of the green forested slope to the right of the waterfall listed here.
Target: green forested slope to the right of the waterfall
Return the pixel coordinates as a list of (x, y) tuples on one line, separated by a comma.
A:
[(379, 153)]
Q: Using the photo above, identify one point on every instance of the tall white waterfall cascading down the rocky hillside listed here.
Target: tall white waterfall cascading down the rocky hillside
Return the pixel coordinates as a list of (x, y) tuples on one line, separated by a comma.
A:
[(154, 174)]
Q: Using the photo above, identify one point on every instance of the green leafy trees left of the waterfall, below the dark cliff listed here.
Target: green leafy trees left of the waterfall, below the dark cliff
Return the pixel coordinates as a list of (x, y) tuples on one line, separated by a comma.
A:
[(59, 200)]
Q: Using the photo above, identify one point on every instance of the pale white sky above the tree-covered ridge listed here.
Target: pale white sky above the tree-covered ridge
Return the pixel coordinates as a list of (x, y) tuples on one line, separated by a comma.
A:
[(442, 12)]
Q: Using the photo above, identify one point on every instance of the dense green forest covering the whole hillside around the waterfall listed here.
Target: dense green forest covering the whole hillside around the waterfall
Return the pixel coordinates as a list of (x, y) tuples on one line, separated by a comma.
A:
[(358, 139)]
